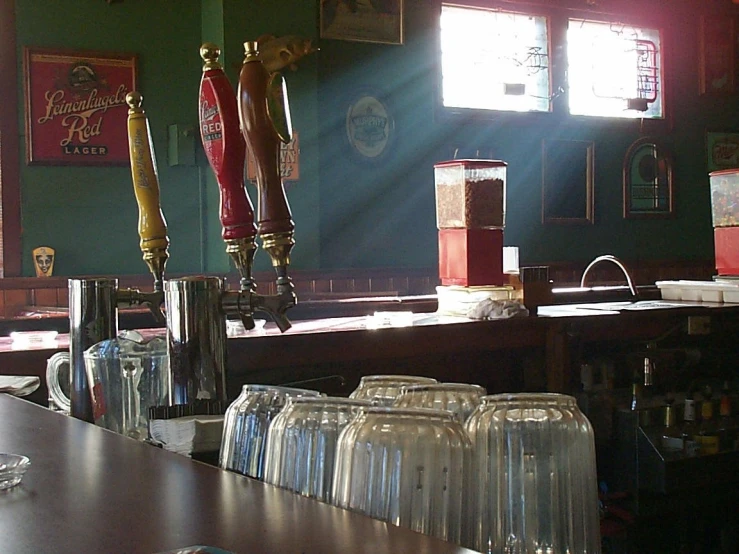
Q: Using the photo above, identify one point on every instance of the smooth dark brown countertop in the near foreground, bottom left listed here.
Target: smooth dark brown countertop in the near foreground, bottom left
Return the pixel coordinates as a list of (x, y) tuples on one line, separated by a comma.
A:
[(89, 490)]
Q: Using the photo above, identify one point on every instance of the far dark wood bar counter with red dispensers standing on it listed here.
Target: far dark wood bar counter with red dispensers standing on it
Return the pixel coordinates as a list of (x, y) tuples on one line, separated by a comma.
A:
[(335, 352)]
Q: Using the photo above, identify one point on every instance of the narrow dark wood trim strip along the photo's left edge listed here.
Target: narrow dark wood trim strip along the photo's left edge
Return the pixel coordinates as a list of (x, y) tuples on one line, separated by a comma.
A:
[(9, 147)]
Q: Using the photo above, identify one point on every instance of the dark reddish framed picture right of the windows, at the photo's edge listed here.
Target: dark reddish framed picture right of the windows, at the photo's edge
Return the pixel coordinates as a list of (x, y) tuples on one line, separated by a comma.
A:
[(717, 55)]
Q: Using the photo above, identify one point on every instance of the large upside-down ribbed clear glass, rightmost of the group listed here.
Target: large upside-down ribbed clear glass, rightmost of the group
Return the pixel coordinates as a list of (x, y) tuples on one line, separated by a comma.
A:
[(534, 477)]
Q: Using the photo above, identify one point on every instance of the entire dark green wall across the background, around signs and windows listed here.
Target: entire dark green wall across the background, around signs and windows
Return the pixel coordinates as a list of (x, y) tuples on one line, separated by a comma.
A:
[(348, 213)]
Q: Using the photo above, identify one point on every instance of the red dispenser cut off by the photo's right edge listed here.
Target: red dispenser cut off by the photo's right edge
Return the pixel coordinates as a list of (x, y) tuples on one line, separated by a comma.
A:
[(725, 214)]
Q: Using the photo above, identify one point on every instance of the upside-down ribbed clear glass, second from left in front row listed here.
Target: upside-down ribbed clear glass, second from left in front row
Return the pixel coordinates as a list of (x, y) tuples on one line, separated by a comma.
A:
[(301, 443)]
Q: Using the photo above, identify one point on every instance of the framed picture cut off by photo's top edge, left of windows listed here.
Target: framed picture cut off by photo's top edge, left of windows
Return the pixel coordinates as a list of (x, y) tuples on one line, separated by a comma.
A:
[(378, 21)]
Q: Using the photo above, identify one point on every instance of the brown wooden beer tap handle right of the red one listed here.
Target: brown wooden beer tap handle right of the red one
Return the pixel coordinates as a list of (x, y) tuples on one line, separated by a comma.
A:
[(265, 121)]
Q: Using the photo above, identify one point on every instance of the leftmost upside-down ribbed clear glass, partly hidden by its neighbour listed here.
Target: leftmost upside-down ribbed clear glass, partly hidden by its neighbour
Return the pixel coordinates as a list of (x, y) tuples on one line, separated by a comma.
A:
[(246, 423)]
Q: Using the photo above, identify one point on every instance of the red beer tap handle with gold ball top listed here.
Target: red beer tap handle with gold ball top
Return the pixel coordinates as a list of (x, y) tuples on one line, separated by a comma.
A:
[(226, 152)]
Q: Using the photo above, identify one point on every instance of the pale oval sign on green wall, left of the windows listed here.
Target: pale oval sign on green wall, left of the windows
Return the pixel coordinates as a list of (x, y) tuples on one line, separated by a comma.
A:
[(369, 126)]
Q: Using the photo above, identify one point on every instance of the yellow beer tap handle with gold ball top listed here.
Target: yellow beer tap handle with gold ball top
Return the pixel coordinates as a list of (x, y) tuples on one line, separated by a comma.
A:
[(152, 227)]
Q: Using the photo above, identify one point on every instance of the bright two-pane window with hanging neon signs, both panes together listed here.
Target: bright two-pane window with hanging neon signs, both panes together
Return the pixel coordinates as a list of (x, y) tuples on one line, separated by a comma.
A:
[(498, 60)]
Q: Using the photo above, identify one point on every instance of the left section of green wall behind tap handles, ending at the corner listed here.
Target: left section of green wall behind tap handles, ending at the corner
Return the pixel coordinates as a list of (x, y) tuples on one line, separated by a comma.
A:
[(89, 215)]
